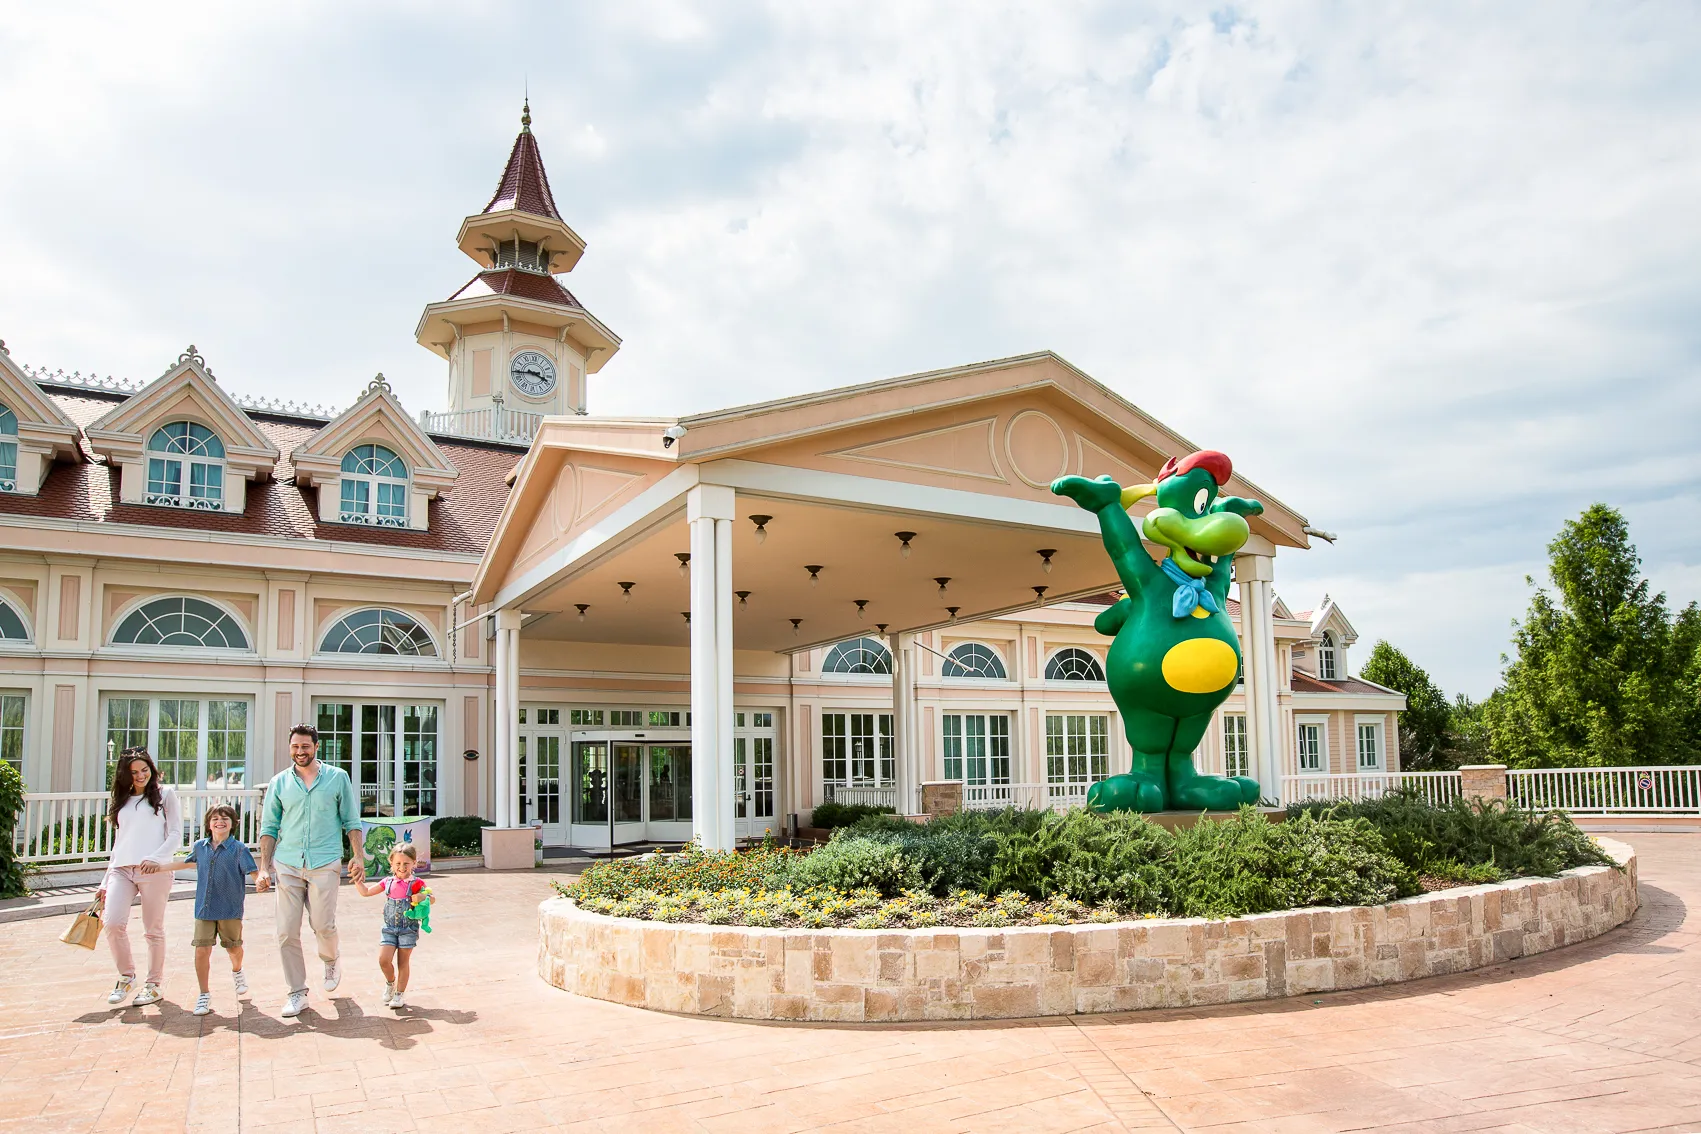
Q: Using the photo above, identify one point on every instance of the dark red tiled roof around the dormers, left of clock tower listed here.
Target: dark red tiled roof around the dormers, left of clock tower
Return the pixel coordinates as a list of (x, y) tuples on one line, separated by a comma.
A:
[(460, 521)]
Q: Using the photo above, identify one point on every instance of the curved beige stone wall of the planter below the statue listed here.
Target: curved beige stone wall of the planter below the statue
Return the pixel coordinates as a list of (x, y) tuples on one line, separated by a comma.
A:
[(976, 975)]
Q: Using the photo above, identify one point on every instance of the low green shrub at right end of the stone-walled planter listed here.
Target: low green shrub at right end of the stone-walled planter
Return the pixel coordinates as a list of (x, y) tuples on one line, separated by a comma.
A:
[(1469, 834)]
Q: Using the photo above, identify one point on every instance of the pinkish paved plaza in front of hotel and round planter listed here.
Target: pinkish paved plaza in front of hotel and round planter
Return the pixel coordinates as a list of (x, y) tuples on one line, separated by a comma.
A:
[(1603, 1036)]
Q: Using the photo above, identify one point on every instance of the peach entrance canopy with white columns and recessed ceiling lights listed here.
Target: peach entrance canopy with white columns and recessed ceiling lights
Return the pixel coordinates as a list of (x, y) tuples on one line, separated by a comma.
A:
[(783, 526)]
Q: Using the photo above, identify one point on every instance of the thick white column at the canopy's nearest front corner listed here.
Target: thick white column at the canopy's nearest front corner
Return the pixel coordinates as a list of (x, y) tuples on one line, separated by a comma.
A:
[(710, 596)]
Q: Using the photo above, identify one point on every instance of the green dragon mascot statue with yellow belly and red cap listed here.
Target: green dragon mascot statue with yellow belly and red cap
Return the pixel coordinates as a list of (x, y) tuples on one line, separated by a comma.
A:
[(1175, 657)]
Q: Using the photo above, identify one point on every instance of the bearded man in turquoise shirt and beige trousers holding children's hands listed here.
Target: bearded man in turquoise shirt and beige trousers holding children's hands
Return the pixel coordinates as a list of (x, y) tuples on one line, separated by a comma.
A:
[(309, 807)]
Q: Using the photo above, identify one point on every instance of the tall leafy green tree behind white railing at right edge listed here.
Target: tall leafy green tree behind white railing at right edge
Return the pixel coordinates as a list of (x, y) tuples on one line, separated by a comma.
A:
[(1605, 676)]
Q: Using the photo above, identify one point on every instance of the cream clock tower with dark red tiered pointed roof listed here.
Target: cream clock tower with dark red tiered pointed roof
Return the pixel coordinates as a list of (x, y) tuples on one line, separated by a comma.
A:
[(515, 337)]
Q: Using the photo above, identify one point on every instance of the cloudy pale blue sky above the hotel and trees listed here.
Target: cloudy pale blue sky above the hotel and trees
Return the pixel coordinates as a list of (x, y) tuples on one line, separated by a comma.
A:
[(1430, 273)]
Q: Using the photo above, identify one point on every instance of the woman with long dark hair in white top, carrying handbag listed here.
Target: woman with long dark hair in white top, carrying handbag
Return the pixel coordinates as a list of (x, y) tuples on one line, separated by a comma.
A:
[(149, 829)]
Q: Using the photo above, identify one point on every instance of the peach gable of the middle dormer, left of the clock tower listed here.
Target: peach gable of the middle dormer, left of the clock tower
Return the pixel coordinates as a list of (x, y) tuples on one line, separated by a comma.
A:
[(186, 392)]
